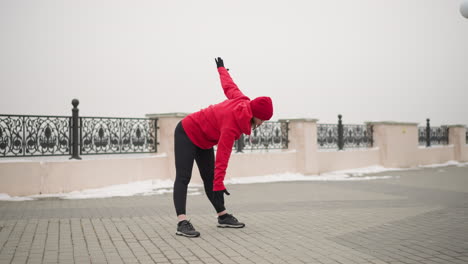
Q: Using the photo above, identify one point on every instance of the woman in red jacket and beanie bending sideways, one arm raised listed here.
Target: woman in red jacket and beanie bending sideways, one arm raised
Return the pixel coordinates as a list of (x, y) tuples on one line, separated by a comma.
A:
[(220, 124)]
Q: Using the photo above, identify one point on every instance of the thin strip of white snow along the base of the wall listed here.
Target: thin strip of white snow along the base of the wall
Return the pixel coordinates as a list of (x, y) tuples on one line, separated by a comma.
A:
[(153, 187)]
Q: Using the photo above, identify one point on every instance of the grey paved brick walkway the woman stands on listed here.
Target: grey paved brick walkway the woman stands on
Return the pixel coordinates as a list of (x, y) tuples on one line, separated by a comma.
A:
[(419, 217)]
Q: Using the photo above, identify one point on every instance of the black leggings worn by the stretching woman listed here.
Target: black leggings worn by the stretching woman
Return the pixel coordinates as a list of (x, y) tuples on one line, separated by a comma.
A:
[(185, 153)]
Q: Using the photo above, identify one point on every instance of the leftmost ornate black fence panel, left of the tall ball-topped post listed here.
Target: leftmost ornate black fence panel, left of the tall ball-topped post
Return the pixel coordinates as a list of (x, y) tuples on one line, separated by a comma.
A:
[(24, 135)]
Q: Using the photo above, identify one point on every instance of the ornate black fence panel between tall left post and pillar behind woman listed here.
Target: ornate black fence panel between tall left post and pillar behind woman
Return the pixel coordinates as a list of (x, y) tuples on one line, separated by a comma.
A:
[(101, 135)]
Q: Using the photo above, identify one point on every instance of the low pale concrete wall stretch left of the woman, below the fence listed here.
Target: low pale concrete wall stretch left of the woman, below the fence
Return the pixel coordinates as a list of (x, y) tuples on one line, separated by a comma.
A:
[(29, 177)]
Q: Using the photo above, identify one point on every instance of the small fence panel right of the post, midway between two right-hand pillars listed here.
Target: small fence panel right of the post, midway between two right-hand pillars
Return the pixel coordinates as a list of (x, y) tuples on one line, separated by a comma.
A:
[(357, 136)]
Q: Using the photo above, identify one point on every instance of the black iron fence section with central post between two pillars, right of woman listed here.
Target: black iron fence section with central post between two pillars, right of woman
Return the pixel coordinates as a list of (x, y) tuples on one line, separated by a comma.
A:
[(339, 136)]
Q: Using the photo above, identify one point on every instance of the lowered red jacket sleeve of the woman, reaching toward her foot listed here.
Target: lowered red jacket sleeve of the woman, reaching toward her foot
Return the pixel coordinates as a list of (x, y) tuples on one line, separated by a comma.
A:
[(223, 153)]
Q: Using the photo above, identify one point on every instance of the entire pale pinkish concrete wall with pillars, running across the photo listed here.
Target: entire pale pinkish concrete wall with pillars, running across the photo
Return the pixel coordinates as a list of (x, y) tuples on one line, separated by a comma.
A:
[(395, 146)]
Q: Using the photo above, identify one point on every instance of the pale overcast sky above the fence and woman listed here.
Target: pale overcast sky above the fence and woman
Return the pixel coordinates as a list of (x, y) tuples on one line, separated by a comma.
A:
[(370, 60)]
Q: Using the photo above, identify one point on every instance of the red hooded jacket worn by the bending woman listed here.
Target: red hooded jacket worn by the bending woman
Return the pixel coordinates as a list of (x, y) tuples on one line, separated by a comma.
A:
[(221, 124)]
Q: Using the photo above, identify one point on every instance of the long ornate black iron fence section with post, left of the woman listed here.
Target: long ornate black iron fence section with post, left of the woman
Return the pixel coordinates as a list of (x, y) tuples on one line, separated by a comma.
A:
[(26, 135)]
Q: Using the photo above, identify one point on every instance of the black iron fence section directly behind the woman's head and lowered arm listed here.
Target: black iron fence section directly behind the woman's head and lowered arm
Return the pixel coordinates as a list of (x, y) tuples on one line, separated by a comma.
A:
[(270, 135)]
